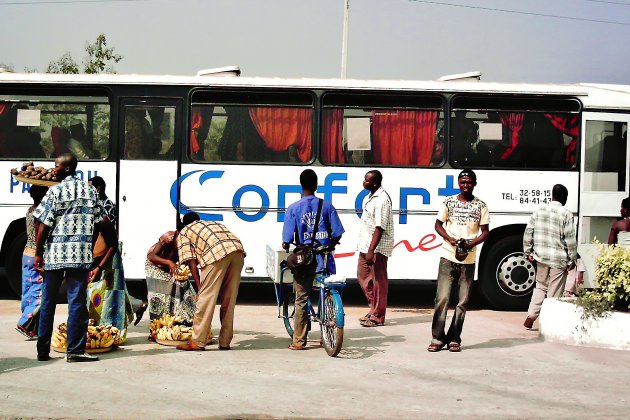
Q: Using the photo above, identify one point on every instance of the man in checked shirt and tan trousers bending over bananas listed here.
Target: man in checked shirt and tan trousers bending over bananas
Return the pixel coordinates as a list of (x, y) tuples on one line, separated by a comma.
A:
[(219, 254)]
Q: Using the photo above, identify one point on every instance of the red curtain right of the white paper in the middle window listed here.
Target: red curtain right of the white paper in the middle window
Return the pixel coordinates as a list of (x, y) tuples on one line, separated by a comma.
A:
[(403, 137)]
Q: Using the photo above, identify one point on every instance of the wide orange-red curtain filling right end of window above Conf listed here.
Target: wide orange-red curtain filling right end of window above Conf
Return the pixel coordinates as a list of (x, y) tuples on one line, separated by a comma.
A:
[(281, 128)]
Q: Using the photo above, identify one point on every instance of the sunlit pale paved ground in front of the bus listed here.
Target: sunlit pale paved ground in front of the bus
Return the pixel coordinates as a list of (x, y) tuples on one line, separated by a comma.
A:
[(503, 371)]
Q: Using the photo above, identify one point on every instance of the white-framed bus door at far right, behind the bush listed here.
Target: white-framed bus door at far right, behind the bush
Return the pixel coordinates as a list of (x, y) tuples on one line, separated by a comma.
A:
[(604, 181)]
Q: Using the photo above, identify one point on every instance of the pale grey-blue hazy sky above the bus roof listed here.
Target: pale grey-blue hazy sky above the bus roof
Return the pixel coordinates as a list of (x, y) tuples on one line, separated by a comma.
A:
[(387, 39)]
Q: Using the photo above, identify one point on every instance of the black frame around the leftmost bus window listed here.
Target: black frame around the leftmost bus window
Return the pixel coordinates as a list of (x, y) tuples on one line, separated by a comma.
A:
[(69, 91)]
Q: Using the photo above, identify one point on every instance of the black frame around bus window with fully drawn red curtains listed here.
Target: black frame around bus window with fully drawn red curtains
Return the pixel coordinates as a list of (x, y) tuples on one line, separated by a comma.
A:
[(376, 95)]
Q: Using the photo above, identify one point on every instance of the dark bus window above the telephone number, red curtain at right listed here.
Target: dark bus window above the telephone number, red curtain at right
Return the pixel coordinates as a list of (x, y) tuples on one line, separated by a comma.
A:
[(515, 133)]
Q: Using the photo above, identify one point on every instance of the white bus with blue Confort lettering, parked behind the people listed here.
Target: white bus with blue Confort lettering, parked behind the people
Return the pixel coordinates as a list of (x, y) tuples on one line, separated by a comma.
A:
[(232, 150)]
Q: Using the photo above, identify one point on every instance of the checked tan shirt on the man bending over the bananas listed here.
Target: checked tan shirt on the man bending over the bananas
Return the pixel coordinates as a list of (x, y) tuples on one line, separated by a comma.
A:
[(207, 242)]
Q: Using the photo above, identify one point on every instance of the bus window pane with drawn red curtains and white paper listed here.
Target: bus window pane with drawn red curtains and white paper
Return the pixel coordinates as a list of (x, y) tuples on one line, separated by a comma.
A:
[(382, 130)]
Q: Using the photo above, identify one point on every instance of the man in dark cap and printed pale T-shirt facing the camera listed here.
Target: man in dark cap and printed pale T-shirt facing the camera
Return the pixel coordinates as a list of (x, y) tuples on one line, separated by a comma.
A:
[(459, 221)]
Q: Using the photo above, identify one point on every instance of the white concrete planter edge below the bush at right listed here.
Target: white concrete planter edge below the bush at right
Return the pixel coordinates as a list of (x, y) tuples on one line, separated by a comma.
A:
[(560, 322)]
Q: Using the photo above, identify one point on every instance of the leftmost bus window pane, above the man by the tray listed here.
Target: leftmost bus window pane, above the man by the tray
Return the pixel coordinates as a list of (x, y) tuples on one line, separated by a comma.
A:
[(42, 127)]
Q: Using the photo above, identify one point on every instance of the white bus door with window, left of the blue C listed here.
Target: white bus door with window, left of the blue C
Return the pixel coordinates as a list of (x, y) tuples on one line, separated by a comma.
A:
[(148, 169)]
